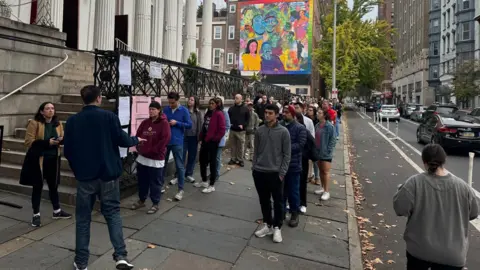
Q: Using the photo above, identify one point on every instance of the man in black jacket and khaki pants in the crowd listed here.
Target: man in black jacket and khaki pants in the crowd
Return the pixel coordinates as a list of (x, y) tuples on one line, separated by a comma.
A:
[(239, 117)]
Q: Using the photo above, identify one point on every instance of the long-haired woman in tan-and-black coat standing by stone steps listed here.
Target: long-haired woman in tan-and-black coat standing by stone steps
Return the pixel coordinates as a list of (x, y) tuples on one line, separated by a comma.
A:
[(42, 161)]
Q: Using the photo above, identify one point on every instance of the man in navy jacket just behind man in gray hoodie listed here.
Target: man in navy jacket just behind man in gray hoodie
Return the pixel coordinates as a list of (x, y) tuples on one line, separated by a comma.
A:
[(298, 137)]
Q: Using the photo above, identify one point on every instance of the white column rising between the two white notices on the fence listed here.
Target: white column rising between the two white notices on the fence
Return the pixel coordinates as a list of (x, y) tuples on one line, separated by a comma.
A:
[(143, 24)]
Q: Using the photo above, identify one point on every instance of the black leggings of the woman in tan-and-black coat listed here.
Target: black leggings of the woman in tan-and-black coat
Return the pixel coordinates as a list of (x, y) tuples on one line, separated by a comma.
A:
[(50, 175)]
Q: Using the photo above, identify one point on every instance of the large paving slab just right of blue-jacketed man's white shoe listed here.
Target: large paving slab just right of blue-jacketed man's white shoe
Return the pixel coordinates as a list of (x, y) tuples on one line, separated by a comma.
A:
[(191, 239)]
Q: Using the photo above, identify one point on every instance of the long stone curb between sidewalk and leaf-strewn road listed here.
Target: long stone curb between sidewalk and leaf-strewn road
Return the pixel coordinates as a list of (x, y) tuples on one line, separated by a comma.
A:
[(354, 245)]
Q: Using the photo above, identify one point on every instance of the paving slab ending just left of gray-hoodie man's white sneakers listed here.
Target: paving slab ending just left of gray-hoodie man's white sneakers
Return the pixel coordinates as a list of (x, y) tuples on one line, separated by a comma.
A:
[(211, 222)]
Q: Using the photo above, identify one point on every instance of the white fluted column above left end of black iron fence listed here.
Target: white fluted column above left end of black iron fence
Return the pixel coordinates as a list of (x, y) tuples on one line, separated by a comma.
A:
[(104, 33)]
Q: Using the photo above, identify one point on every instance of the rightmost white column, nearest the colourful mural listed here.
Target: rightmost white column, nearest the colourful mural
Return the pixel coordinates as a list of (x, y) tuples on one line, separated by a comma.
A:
[(206, 38)]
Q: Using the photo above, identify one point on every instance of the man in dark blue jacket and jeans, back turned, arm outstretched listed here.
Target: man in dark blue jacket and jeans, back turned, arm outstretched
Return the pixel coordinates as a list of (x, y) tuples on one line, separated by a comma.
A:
[(92, 140)]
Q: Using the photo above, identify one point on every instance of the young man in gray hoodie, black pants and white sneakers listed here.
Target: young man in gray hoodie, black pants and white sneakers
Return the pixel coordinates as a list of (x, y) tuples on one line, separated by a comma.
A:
[(271, 159)]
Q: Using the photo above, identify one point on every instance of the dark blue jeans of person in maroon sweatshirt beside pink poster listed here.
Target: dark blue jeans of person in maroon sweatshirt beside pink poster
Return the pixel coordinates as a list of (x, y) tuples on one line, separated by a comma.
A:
[(150, 180)]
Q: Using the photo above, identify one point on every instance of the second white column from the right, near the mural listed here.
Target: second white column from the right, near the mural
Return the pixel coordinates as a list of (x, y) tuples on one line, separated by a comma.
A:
[(189, 40)]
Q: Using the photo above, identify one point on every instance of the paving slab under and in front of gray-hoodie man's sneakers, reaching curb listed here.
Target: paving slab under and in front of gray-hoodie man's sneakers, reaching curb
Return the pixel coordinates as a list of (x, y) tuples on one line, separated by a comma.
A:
[(308, 246)]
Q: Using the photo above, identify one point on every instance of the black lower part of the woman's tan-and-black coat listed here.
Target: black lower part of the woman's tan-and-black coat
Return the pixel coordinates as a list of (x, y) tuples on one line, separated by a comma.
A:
[(31, 173)]
